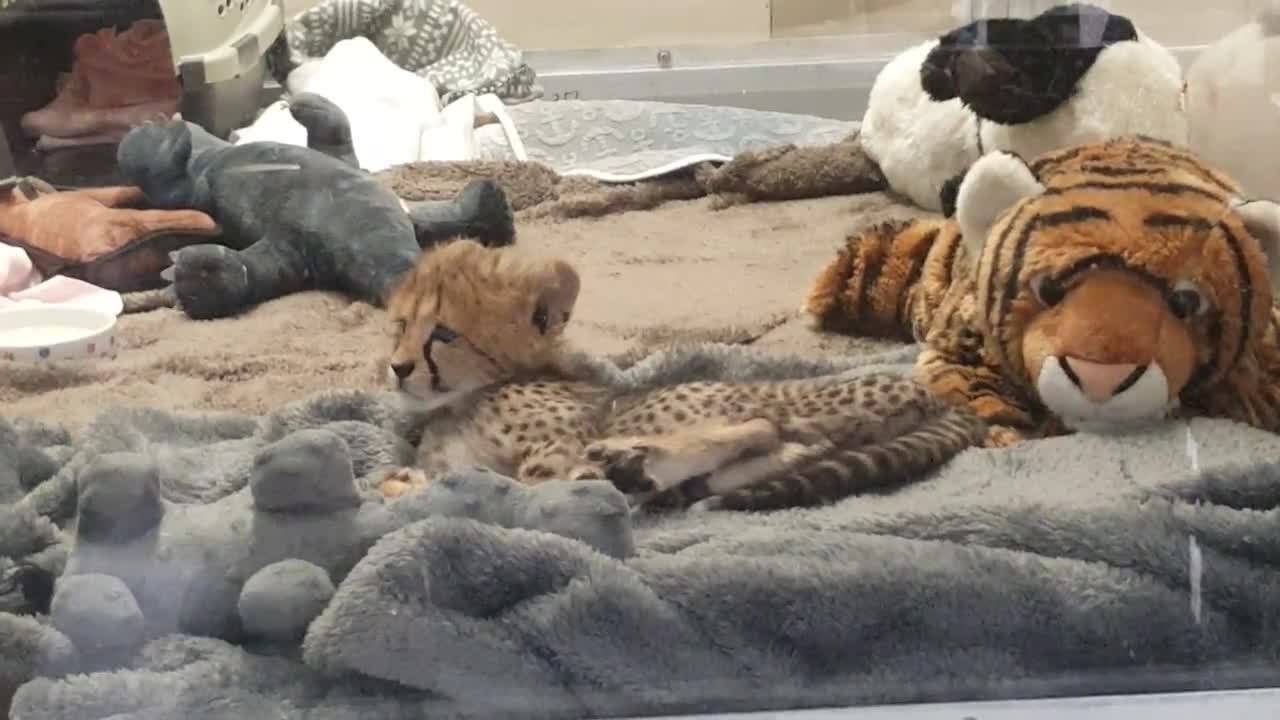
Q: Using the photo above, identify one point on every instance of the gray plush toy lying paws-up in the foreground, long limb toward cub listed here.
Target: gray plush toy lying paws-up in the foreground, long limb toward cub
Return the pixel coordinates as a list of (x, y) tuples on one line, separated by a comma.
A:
[(263, 563)]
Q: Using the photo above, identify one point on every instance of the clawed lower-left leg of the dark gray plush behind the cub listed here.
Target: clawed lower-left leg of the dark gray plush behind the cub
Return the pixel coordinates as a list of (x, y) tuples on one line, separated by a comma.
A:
[(213, 281)]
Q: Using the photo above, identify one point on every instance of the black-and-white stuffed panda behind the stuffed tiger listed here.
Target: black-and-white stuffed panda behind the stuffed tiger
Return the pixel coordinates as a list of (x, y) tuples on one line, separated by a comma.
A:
[(1071, 75)]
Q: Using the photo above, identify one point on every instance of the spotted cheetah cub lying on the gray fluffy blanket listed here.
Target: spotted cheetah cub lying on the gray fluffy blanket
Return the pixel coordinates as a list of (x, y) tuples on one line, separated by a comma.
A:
[(479, 339)]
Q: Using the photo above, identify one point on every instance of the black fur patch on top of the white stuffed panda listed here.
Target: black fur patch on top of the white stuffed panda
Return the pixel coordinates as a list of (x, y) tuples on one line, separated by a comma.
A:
[(1013, 71)]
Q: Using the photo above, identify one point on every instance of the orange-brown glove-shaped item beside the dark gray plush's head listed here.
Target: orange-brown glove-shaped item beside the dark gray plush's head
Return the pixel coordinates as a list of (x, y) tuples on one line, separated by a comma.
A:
[(97, 235)]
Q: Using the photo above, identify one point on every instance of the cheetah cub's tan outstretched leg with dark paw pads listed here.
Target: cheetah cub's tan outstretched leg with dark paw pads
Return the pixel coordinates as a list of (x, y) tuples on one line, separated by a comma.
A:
[(647, 466)]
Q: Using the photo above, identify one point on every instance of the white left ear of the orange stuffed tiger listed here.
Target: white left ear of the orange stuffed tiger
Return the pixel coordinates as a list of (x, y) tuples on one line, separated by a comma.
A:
[(991, 186)]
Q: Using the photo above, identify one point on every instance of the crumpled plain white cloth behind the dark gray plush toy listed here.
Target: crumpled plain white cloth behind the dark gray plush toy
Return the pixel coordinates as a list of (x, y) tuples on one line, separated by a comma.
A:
[(396, 116)]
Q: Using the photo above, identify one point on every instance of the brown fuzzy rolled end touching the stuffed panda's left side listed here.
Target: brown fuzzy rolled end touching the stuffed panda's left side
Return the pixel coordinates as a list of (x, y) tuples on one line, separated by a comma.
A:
[(789, 172)]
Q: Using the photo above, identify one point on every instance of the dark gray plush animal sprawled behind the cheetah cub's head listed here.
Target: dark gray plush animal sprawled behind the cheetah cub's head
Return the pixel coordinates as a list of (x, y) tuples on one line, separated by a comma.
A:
[(294, 218)]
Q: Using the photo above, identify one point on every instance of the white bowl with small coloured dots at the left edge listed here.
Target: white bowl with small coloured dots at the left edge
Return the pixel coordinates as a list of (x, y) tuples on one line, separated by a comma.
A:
[(56, 332)]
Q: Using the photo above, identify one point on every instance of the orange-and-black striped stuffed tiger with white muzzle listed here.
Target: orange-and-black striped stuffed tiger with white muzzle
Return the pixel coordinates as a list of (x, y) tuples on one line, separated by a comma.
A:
[(1096, 288)]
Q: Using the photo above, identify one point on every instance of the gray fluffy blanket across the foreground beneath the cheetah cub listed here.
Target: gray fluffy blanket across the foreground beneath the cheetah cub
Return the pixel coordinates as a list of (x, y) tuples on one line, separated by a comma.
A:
[(1080, 564)]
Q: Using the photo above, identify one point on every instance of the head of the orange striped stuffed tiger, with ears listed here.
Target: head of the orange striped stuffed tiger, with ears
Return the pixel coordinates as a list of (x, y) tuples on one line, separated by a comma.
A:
[(1116, 277)]
